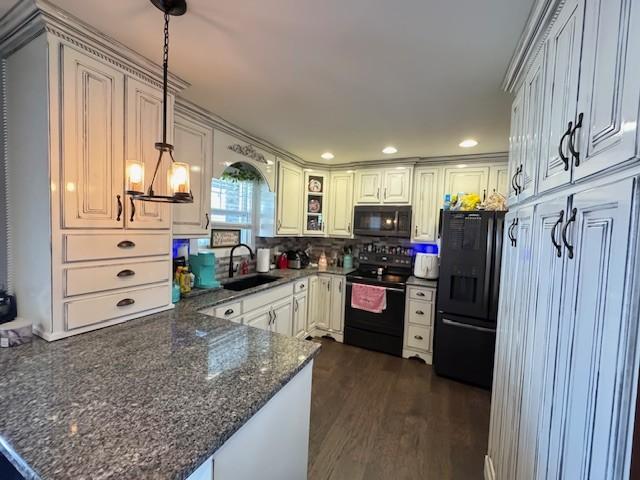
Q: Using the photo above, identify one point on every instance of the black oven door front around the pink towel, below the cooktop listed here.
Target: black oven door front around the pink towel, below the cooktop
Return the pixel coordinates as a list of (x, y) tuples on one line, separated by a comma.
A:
[(376, 331)]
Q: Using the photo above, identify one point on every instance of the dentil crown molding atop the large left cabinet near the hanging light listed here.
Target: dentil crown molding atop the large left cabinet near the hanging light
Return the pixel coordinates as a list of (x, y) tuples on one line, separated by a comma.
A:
[(28, 19)]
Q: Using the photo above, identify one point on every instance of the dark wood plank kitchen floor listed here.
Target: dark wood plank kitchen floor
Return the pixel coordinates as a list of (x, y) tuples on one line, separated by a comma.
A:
[(375, 416)]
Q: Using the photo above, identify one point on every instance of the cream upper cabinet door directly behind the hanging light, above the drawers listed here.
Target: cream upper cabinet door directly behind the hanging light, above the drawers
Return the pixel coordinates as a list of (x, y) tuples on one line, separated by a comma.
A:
[(143, 130)]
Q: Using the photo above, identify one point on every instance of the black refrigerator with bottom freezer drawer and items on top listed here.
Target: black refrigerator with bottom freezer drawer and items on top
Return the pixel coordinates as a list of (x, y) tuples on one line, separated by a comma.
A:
[(467, 307)]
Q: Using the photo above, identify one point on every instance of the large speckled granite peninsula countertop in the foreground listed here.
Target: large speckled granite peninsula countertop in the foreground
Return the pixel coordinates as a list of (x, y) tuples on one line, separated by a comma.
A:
[(151, 398)]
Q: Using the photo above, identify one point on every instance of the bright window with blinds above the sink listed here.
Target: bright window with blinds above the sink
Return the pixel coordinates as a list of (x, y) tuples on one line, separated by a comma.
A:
[(233, 206)]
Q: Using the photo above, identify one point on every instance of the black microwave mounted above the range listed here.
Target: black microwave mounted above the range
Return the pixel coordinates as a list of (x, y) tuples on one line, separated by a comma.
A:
[(379, 221)]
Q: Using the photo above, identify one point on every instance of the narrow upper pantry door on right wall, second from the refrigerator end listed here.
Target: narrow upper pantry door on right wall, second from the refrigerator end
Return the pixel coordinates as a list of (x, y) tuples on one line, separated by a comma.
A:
[(533, 110)]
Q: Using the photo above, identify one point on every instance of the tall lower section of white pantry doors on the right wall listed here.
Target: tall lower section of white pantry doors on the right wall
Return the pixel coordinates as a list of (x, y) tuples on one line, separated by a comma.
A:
[(567, 344)]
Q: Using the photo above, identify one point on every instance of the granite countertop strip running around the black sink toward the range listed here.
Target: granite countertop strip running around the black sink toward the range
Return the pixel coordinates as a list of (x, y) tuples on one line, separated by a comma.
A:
[(200, 299)]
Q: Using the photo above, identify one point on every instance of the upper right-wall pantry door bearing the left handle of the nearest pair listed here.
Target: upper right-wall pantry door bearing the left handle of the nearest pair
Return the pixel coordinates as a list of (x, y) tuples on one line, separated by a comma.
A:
[(560, 95)]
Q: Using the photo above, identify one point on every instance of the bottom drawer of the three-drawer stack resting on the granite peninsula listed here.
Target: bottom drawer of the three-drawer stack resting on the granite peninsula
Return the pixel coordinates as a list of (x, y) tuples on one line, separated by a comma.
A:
[(81, 313)]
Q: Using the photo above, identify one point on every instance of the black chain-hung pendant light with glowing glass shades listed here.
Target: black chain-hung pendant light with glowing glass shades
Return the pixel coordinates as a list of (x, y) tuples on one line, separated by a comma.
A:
[(178, 182)]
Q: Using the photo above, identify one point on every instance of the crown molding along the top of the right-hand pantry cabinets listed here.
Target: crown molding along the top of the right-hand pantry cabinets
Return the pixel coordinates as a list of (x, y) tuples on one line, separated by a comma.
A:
[(541, 17)]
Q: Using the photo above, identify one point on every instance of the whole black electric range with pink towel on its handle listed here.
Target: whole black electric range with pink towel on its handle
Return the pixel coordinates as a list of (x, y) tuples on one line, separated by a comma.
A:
[(383, 331)]
